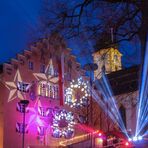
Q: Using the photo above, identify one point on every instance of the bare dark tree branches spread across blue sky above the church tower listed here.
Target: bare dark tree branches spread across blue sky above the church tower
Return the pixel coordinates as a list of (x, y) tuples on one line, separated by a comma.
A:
[(104, 22)]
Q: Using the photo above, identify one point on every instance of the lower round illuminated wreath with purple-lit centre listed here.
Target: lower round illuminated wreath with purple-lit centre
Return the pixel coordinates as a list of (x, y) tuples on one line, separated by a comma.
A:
[(63, 124)]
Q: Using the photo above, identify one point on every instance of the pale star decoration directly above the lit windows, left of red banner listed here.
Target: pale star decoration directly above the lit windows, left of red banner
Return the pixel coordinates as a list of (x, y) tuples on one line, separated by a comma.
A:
[(48, 75)]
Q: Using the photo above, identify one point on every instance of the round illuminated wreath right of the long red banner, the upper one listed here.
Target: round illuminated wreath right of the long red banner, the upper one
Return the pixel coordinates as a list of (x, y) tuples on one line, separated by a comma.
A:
[(77, 94)]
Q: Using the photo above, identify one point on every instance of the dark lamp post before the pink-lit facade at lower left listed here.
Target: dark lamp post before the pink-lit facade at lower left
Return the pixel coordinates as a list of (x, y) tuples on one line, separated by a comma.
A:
[(24, 104)]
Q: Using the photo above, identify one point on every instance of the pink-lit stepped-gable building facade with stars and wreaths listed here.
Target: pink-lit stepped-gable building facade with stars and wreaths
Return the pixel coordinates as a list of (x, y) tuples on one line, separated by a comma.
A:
[(51, 79)]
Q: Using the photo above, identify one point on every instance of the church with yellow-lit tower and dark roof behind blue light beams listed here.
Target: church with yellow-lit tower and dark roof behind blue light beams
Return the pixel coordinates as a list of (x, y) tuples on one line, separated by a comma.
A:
[(121, 85)]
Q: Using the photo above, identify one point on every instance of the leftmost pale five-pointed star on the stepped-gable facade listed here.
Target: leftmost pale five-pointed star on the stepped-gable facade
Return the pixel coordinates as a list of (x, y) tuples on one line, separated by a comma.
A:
[(12, 86)]
